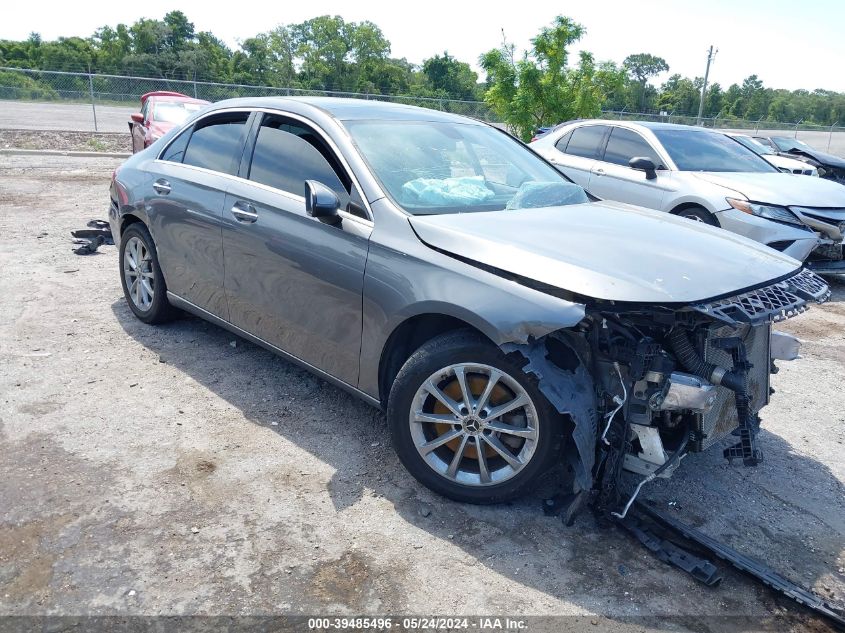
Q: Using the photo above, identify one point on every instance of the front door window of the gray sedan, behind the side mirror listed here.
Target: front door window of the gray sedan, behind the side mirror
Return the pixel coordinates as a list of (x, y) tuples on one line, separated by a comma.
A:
[(288, 153)]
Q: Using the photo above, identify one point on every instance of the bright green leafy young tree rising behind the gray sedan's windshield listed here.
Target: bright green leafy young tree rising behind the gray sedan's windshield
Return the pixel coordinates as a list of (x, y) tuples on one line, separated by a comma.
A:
[(541, 87)]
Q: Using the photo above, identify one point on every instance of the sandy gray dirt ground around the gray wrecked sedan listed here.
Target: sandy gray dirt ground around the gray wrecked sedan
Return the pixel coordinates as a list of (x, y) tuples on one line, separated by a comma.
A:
[(175, 470)]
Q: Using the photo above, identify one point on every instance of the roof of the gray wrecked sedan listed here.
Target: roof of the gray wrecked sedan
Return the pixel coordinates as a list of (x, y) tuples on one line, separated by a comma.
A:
[(349, 109)]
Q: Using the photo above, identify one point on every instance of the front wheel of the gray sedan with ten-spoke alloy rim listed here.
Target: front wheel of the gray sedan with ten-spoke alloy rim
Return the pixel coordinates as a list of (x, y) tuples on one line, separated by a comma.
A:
[(469, 424)]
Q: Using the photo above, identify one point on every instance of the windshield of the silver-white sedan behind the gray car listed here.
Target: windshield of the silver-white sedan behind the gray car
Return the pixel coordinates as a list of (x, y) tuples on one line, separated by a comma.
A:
[(698, 150)]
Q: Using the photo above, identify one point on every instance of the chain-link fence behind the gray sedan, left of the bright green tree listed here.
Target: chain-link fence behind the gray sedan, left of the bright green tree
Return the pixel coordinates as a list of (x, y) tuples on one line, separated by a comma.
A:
[(101, 90)]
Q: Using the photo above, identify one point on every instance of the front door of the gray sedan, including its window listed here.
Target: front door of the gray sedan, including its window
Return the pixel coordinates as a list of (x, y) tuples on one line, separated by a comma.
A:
[(291, 279)]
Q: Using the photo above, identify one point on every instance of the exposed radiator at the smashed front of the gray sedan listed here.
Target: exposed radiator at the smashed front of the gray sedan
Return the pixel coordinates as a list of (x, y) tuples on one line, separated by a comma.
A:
[(721, 420)]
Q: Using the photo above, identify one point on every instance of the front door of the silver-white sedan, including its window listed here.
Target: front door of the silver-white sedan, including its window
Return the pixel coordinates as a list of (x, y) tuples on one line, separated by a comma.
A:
[(613, 179)]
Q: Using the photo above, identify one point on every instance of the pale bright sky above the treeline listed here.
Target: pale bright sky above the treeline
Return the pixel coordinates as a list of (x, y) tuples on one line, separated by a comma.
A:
[(787, 44)]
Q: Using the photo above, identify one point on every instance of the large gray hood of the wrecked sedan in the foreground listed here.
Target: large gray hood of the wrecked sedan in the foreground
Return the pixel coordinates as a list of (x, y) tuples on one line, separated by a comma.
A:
[(608, 250)]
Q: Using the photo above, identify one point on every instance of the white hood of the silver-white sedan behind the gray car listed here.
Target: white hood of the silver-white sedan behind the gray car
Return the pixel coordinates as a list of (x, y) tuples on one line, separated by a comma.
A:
[(779, 188)]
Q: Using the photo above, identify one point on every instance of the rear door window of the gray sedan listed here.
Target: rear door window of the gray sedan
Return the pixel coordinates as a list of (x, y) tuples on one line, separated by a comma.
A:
[(217, 143)]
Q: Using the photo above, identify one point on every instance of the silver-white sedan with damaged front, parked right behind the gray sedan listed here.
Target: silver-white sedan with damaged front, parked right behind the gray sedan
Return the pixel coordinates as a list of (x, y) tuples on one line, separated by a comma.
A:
[(705, 176)]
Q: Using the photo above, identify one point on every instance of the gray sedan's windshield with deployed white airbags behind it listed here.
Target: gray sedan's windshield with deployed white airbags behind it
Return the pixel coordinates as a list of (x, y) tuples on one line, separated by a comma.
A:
[(438, 167)]
